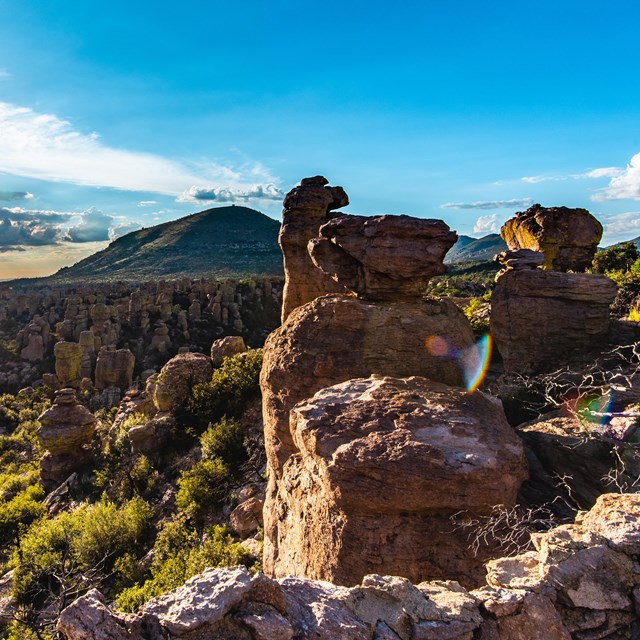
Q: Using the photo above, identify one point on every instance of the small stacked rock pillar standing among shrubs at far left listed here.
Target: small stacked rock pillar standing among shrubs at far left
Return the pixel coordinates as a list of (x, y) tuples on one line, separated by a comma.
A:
[(66, 427)]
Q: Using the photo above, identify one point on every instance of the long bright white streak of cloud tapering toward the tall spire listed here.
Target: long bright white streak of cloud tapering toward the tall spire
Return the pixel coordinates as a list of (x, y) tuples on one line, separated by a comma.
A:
[(46, 147)]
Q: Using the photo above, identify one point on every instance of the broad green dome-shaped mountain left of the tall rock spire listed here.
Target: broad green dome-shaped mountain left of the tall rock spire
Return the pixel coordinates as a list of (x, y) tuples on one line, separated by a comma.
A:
[(225, 242)]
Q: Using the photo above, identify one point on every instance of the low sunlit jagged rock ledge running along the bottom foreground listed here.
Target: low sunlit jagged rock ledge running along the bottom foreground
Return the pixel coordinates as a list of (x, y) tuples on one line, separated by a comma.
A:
[(580, 581)]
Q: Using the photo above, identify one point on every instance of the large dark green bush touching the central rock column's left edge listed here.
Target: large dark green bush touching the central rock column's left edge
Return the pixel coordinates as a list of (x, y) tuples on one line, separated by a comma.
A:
[(232, 385)]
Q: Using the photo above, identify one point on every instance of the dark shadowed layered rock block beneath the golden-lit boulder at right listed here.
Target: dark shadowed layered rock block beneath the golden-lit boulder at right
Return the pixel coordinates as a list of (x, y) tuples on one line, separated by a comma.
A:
[(542, 320)]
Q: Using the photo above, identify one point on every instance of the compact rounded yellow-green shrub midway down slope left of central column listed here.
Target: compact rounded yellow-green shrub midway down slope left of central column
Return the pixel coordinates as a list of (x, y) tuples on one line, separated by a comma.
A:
[(203, 488)]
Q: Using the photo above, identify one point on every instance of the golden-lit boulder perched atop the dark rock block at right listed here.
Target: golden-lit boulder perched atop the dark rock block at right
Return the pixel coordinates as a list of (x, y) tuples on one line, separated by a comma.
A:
[(568, 238)]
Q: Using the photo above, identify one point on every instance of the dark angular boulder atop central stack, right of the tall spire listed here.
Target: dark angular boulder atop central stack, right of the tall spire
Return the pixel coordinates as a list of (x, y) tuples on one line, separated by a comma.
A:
[(382, 257)]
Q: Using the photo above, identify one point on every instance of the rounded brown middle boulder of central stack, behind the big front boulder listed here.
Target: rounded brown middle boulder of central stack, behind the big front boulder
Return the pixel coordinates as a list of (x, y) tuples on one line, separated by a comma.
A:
[(336, 338)]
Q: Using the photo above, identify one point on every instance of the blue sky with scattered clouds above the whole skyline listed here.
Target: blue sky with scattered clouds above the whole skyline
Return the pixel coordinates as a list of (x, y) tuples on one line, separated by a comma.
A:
[(116, 115)]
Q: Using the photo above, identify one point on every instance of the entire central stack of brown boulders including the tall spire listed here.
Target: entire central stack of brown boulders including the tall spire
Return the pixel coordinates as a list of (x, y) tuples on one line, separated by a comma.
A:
[(386, 328)]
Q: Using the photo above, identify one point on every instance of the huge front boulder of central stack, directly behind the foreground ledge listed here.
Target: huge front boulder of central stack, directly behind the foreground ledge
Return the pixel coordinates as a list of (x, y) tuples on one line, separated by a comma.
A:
[(383, 464)]
